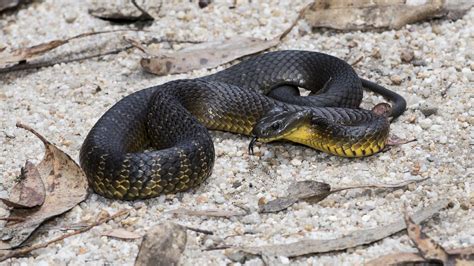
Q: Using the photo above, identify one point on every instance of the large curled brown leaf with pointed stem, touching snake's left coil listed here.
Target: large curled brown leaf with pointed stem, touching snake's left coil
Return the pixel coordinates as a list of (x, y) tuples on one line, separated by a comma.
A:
[(65, 186)]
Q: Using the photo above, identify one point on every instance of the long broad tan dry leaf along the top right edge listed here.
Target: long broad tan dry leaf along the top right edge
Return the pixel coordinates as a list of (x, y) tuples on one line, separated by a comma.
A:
[(373, 14)]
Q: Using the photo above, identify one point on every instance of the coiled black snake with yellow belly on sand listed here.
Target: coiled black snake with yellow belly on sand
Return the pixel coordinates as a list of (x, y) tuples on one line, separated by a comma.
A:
[(157, 141)]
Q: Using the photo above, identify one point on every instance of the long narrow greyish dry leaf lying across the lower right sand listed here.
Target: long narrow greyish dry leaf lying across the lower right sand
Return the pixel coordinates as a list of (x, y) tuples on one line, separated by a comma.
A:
[(354, 239)]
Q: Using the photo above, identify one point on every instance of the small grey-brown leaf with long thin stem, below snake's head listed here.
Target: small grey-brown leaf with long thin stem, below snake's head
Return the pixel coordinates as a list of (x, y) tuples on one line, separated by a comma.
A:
[(314, 191)]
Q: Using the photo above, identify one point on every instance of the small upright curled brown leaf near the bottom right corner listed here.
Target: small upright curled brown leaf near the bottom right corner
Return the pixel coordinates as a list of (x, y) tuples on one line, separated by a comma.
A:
[(429, 249)]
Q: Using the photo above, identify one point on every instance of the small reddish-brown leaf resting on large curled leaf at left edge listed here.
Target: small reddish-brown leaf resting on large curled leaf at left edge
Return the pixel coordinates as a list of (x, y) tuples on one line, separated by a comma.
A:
[(29, 192)]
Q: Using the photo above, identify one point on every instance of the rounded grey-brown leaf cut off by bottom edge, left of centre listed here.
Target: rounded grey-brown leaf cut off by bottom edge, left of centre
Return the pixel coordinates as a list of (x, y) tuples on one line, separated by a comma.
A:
[(162, 245)]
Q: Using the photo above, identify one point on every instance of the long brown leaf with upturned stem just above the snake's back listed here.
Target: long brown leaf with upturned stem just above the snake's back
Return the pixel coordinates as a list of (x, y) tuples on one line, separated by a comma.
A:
[(209, 54)]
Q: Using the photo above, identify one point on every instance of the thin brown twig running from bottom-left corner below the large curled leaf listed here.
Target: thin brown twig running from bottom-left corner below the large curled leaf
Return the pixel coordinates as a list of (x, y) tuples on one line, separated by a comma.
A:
[(24, 251)]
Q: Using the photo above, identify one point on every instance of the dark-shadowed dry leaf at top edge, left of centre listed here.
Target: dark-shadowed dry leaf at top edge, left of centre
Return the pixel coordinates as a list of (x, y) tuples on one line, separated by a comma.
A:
[(126, 11)]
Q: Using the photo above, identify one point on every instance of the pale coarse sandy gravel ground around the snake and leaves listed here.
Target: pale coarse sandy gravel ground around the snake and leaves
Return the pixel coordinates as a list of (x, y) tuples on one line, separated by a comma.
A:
[(64, 101)]
